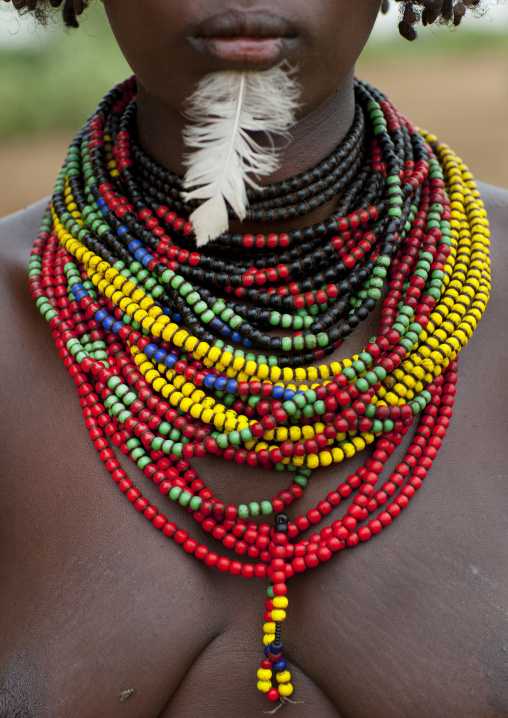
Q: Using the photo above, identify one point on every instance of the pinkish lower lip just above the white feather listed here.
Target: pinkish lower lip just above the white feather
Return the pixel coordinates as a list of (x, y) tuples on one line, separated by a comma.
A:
[(248, 50)]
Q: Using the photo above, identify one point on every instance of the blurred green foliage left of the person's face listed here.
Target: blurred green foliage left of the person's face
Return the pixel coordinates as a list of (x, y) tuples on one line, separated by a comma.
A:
[(53, 86)]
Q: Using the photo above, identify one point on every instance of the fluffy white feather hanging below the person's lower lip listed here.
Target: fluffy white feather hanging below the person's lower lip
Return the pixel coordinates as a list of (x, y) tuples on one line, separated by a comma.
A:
[(224, 111)]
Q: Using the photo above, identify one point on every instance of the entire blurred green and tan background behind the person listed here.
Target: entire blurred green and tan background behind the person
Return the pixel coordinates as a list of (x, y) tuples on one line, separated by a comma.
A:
[(454, 83)]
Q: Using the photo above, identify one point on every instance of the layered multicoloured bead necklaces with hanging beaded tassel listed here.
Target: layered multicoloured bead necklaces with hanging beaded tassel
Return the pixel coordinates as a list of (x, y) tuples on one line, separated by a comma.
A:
[(165, 344)]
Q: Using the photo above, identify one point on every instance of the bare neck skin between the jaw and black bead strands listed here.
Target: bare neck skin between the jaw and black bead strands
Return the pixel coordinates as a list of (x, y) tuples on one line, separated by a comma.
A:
[(313, 137)]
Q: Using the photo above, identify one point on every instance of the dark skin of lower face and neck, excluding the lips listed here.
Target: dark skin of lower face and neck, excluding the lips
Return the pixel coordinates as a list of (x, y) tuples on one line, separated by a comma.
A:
[(163, 43)]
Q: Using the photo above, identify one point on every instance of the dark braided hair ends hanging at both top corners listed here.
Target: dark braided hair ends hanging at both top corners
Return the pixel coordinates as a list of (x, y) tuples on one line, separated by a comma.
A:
[(449, 12)]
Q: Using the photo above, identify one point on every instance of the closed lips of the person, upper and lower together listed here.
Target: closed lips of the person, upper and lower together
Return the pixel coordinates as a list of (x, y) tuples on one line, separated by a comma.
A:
[(243, 39)]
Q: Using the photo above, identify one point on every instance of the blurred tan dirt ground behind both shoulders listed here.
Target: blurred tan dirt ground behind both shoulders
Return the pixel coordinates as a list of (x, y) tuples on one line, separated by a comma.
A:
[(463, 101)]
